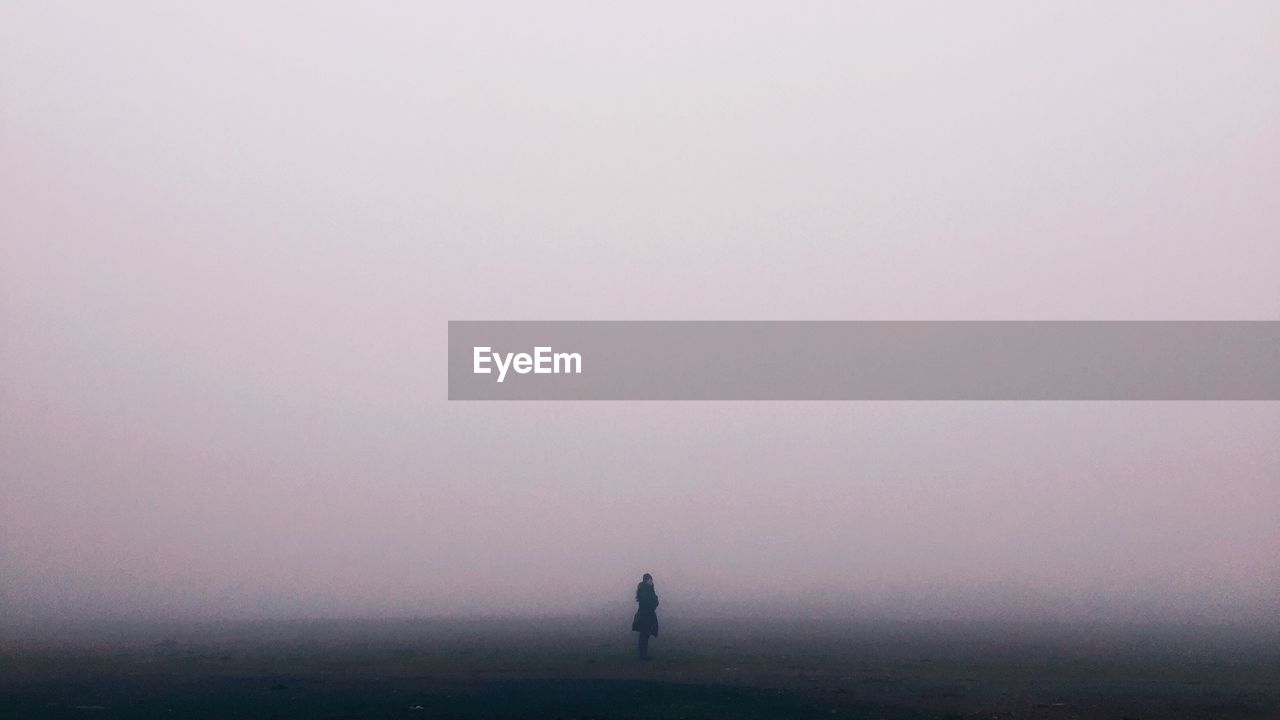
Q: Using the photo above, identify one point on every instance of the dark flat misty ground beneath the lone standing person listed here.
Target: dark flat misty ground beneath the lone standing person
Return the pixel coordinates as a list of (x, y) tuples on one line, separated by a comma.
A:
[(584, 668)]
